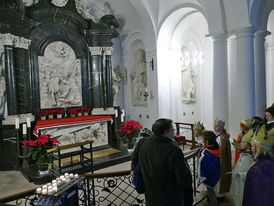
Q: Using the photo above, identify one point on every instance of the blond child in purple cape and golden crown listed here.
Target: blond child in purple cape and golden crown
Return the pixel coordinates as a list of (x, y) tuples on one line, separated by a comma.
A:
[(259, 182)]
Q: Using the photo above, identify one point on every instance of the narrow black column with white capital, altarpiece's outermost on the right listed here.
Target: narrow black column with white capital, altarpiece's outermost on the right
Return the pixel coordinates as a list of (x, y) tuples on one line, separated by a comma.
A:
[(108, 76)]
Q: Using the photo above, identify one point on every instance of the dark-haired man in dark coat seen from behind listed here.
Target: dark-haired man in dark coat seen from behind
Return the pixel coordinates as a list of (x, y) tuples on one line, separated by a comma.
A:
[(163, 166)]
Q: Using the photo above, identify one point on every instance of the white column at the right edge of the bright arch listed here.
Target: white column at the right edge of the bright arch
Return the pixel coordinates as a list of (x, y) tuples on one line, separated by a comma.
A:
[(220, 91)]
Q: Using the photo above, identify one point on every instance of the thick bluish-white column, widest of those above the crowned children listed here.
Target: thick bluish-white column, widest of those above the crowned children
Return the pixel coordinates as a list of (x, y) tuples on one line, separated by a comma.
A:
[(245, 73)]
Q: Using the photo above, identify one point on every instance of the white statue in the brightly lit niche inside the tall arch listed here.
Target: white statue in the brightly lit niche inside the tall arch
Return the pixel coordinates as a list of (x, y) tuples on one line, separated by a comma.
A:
[(188, 77)]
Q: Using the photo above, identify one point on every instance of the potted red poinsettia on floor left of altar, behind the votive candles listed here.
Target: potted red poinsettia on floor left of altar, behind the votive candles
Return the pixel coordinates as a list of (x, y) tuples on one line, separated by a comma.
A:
[(37, 149)]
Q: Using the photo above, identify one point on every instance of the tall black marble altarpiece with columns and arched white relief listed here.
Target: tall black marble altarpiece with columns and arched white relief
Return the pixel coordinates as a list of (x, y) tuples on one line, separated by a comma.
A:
[(56, 54)]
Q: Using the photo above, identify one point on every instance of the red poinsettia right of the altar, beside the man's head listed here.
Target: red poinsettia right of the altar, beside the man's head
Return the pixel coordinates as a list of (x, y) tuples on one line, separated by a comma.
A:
[(129, 131)]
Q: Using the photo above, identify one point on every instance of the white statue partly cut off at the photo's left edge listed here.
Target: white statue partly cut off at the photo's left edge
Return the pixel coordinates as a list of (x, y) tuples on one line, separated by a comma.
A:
[(2, 84)]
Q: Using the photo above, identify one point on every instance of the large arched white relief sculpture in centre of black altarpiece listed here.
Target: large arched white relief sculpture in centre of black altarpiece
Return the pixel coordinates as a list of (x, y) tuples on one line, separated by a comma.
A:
[(59, 77)]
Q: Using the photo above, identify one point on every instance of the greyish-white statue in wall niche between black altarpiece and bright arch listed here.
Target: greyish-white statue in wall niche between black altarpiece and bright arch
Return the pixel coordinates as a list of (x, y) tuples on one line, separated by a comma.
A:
[(139, 79)]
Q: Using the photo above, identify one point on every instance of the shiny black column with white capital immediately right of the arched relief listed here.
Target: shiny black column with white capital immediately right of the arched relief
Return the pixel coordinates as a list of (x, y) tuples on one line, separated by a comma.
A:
[(97, 97)]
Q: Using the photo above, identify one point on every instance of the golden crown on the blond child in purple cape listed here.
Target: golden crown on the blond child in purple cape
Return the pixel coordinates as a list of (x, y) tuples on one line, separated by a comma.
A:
[(262, 138)]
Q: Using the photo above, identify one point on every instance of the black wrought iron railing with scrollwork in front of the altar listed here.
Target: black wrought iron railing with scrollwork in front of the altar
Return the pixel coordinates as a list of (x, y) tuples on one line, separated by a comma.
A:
[(112, 188)]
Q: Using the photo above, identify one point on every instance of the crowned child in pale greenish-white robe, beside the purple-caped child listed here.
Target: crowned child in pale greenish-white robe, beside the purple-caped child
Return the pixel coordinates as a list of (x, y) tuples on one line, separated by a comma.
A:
[(243, 164)]
